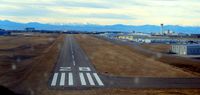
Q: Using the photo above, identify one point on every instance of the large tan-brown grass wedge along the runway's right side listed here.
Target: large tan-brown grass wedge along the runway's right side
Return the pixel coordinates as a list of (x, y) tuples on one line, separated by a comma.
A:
[(119, 60)]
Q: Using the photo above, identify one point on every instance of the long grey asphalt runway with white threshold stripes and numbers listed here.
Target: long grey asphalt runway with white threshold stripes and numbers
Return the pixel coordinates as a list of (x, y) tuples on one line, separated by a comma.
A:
[(73, 68)]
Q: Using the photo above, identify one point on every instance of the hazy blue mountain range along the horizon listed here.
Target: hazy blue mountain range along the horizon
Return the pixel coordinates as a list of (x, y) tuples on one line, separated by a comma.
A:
[(10, 25)]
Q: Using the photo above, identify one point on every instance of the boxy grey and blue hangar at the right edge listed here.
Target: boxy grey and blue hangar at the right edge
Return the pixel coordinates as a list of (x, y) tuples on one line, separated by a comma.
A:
[(184, 49)]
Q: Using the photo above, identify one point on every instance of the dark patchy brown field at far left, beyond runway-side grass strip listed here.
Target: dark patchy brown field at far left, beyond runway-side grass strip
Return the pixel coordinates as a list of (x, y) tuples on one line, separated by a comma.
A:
[(19, 50)]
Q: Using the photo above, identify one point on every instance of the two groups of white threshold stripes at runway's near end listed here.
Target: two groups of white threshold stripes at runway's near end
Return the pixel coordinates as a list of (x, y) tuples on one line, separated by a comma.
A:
[(67, 79)]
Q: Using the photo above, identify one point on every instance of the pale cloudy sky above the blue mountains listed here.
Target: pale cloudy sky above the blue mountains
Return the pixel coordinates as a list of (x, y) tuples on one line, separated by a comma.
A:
[(104, 12)]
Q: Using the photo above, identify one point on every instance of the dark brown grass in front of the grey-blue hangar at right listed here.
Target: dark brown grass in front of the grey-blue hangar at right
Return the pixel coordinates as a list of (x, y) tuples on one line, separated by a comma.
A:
[(186, 64)]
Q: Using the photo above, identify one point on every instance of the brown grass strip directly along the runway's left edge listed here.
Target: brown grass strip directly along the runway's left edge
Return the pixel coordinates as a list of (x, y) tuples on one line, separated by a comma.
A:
[(36, 82)]
